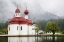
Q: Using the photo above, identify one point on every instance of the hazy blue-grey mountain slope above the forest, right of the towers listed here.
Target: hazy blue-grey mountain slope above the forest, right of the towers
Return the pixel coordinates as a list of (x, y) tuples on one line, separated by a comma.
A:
[(45, 16)]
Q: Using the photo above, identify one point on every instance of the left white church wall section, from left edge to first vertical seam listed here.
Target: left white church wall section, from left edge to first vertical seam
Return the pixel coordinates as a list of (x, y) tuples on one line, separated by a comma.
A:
[(13, 29)]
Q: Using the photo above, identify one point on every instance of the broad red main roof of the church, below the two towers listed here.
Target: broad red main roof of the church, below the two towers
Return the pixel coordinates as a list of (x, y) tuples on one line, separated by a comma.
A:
[(20, 20)]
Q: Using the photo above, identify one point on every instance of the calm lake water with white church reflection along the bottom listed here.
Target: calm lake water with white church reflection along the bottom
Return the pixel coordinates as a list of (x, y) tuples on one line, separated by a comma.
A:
[(31, 39)]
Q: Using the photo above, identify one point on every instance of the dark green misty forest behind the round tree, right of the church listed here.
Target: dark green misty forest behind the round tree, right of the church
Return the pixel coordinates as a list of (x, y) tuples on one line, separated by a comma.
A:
[(60, 23)]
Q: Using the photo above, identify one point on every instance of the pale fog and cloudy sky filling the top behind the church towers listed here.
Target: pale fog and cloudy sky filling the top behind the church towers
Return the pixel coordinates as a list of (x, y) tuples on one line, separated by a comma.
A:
[(35, 7)]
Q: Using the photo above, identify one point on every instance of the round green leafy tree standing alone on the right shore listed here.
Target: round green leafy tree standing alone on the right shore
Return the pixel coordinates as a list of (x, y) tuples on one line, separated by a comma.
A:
[(52, 26)]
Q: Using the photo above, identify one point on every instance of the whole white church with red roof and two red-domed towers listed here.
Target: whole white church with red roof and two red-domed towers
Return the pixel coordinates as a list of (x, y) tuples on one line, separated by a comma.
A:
[(21, 25)]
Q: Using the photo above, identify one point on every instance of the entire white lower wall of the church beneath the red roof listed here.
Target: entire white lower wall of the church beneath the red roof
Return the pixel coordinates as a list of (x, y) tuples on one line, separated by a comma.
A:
[(26, 30)]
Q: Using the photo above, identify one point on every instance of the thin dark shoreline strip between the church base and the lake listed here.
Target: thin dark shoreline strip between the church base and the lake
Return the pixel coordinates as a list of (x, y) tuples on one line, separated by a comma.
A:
[(30, 35)]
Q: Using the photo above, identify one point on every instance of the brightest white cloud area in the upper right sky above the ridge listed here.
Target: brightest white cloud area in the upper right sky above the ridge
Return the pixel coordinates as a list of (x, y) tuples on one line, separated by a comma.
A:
[(53, 6)]
